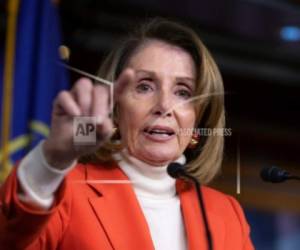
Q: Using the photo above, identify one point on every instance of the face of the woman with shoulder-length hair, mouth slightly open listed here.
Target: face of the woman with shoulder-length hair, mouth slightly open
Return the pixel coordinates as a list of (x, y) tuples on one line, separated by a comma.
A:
[(154, 107)]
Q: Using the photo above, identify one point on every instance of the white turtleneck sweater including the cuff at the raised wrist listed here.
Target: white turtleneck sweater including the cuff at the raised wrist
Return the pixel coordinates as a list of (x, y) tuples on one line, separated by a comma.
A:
[(155, 191)]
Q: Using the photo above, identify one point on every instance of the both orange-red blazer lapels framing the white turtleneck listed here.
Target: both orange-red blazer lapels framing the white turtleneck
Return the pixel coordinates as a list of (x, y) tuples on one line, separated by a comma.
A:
[(122, 218)]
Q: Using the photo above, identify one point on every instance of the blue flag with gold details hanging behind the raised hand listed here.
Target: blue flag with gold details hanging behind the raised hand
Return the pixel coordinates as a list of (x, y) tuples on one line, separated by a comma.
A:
[(38, 77)]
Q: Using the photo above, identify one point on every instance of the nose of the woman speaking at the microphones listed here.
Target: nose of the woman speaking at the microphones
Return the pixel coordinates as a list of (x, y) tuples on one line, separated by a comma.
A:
[(163, 105)]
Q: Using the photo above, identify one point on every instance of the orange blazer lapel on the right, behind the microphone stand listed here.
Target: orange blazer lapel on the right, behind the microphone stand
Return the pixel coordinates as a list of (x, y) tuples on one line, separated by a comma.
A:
[(193, 219)]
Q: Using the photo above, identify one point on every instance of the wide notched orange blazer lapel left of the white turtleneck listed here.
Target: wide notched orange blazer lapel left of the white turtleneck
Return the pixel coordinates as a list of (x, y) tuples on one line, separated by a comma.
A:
[(118, 210)]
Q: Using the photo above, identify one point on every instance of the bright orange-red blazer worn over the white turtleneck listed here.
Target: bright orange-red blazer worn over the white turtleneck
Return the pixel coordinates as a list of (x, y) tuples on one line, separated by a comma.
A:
[(90, 215)]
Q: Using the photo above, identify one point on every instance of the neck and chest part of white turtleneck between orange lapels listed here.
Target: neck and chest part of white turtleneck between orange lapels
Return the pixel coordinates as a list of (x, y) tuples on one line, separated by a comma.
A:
[(156, 193)]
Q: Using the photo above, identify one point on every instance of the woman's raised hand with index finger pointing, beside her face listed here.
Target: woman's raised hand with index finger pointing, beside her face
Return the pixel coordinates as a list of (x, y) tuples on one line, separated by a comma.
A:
[(84, 99)]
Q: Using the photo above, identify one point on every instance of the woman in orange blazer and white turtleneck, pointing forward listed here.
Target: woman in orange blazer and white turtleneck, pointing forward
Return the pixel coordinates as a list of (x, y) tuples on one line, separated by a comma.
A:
[(122, 196)]
